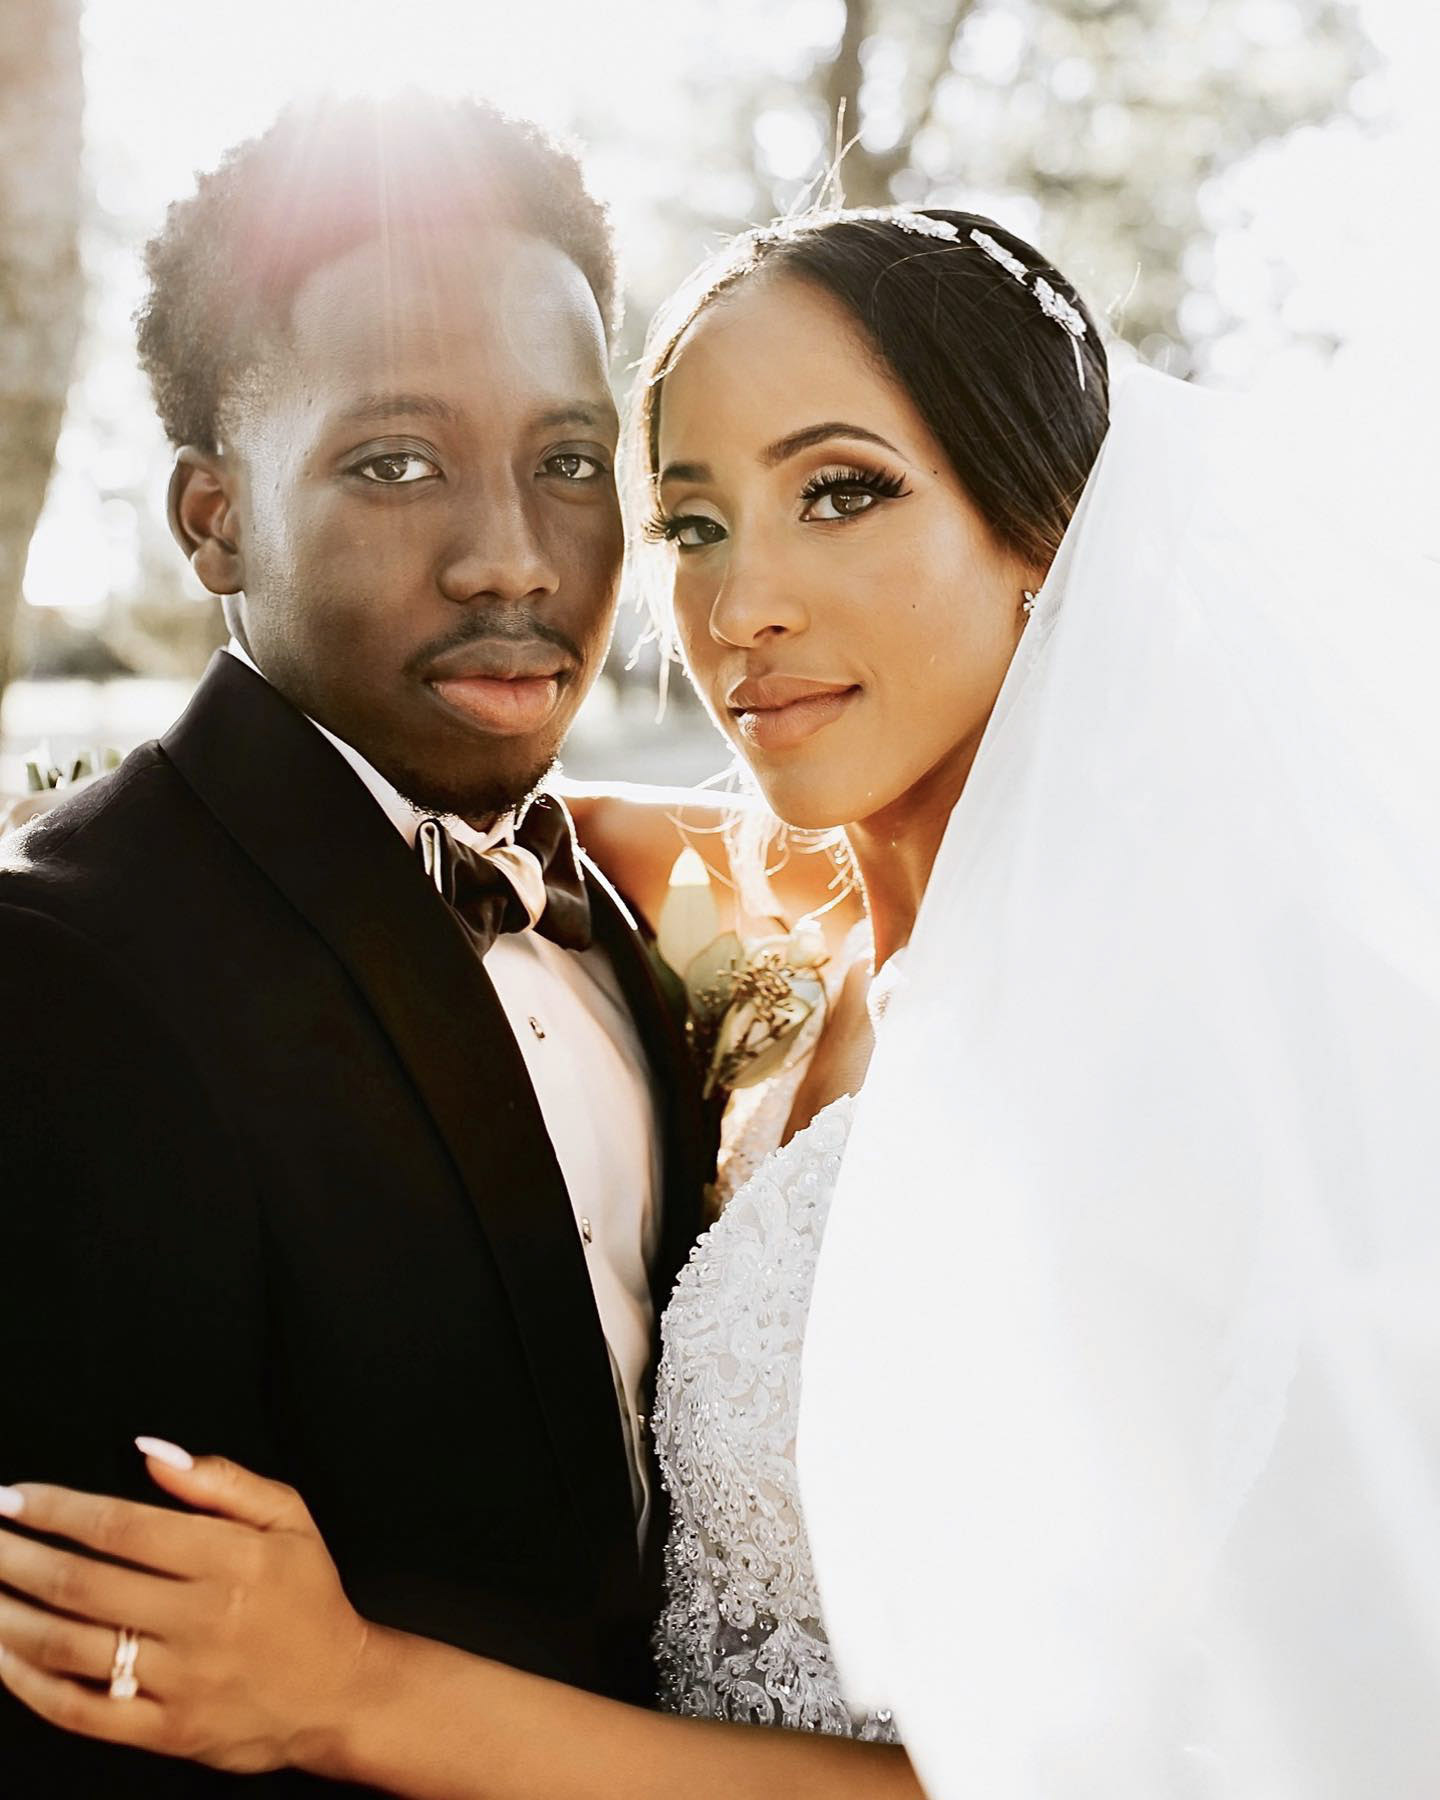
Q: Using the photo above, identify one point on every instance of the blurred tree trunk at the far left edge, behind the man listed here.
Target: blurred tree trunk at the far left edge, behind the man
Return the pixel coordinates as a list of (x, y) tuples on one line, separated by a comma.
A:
[(40, 274)]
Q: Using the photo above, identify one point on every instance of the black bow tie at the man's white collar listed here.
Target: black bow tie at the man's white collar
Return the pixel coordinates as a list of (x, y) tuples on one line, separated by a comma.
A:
[(496, 892)]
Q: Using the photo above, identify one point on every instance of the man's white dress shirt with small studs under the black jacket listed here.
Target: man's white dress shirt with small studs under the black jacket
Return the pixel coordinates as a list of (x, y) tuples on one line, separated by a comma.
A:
[(593, 1084)]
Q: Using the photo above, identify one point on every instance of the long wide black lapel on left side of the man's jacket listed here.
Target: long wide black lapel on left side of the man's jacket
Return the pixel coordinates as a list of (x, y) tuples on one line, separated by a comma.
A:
[(300, 813)]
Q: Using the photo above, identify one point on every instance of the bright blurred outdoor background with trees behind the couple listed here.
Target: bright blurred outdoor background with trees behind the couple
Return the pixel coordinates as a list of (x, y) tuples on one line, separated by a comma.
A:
[(1245, 188)]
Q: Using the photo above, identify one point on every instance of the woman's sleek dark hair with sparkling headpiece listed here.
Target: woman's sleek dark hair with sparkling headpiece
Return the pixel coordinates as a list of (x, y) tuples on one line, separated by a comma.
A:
[(993, 375)]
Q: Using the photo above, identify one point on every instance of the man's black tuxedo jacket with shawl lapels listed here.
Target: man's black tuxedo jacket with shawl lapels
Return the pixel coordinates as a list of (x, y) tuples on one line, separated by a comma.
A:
[(274, 1183)]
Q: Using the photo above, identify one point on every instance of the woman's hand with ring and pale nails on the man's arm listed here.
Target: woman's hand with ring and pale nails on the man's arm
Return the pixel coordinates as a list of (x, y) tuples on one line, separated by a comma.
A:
[(249, 1651)]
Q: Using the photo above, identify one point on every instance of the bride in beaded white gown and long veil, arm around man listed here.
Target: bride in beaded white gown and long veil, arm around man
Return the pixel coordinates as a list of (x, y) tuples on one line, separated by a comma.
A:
[(865, 438)]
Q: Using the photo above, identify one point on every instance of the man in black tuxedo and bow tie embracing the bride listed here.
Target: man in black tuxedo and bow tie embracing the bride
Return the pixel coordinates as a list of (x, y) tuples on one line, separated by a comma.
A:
[(310, 1151)]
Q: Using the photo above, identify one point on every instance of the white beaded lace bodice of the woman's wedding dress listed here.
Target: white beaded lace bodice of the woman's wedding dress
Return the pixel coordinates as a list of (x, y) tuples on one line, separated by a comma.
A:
[(741, 1635)]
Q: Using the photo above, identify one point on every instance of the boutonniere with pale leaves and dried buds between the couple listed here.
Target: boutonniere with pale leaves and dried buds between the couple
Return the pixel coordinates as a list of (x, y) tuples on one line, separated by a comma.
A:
[(750, 1000)]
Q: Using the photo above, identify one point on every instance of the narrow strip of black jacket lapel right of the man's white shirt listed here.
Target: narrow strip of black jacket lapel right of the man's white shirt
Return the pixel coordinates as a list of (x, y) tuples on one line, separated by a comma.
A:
[(690, 1131)]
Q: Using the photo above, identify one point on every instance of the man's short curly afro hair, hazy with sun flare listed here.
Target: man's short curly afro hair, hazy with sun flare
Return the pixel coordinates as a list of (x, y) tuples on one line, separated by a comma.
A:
[(325, 179)]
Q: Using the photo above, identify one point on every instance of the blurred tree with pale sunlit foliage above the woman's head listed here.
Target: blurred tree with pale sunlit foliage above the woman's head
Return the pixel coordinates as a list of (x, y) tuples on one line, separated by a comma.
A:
[(1093, 127)]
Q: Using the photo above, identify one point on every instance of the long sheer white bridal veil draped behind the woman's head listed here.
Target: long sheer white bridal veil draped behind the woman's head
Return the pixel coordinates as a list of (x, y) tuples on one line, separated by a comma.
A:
[(1120, 1434)]
